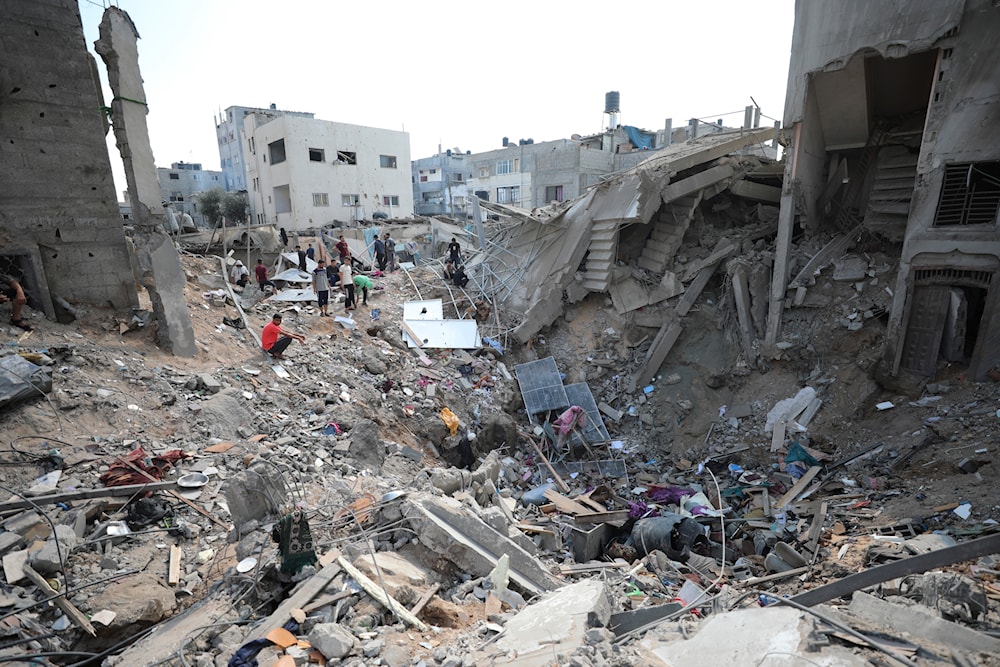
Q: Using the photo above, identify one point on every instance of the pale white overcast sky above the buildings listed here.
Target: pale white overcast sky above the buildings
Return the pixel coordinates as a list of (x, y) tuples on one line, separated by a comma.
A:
[(455, 74)]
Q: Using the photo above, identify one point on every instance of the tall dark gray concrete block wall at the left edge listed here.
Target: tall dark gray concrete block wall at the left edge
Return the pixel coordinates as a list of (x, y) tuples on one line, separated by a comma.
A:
[(58, 207)]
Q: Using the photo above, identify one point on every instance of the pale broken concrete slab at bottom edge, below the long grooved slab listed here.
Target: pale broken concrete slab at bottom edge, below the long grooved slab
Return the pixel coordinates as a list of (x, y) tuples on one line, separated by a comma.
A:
[(556, 625)]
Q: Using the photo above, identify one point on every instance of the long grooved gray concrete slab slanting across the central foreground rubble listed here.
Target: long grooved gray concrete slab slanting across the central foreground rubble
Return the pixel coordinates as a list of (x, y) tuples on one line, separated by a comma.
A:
[(451, 530)]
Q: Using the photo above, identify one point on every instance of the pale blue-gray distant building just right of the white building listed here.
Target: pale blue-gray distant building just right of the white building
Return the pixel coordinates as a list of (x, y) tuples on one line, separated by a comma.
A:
[(440, 184)]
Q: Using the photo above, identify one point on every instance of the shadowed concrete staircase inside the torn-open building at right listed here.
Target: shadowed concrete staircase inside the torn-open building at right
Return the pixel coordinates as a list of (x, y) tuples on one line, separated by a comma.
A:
[(892, 189)]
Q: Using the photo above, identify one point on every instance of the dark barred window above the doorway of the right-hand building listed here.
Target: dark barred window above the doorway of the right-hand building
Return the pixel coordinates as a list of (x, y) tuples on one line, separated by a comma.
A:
[(970, 194)]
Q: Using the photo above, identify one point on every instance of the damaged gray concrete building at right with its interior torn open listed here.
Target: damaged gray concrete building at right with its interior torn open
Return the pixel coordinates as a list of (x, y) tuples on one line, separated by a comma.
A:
[(893, 117)]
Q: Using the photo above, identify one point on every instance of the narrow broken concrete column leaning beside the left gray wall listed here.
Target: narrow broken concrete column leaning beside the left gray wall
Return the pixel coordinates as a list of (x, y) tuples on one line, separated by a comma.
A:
[(159, 266)]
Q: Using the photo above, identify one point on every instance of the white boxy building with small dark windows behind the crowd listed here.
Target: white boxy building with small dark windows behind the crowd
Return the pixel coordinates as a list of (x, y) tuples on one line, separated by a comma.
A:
[(305, 173)]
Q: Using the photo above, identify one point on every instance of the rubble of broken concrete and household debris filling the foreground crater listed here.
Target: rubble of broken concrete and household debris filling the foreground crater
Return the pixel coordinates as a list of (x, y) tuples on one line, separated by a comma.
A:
[(373, 502)]
